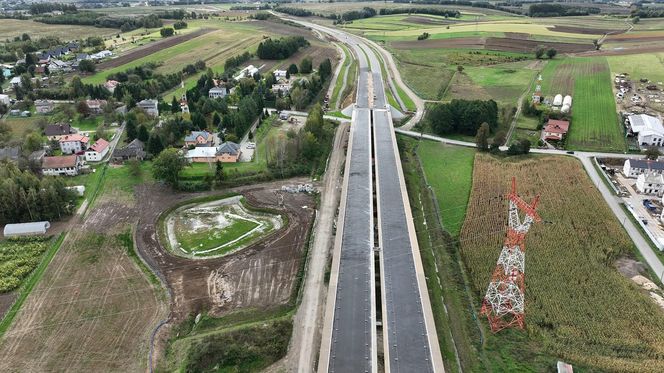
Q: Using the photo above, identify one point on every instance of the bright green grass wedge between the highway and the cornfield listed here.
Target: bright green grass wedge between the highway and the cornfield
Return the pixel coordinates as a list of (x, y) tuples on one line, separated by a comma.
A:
[(448, 170)]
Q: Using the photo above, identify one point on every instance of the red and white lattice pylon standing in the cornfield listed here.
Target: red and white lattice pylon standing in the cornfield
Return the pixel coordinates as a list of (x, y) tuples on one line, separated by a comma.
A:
[(504, 300)]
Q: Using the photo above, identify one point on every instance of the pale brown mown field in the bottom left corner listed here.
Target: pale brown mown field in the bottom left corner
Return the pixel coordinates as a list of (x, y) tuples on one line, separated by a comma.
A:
[(93, 310)]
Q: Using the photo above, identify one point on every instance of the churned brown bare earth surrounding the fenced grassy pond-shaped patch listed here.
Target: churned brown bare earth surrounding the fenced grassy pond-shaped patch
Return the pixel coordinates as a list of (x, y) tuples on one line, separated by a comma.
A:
[(259, 276)]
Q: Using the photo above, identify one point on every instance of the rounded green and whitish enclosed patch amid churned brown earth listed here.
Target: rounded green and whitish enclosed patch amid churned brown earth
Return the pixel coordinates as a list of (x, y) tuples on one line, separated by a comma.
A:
[(217, 228)]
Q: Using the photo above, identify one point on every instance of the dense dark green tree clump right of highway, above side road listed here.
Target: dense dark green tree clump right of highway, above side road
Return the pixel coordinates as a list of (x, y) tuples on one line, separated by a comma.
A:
[(462, 116)]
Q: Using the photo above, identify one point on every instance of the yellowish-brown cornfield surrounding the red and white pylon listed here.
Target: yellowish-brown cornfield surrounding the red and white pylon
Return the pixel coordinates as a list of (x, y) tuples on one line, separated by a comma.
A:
[(578, 306)]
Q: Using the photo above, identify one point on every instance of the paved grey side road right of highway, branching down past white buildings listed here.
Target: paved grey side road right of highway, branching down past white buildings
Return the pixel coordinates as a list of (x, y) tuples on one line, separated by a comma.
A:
[(611, 199)]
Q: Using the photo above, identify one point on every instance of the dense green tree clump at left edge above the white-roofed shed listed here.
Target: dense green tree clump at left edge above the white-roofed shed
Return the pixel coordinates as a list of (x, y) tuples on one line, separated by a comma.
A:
[(24, 197)]
